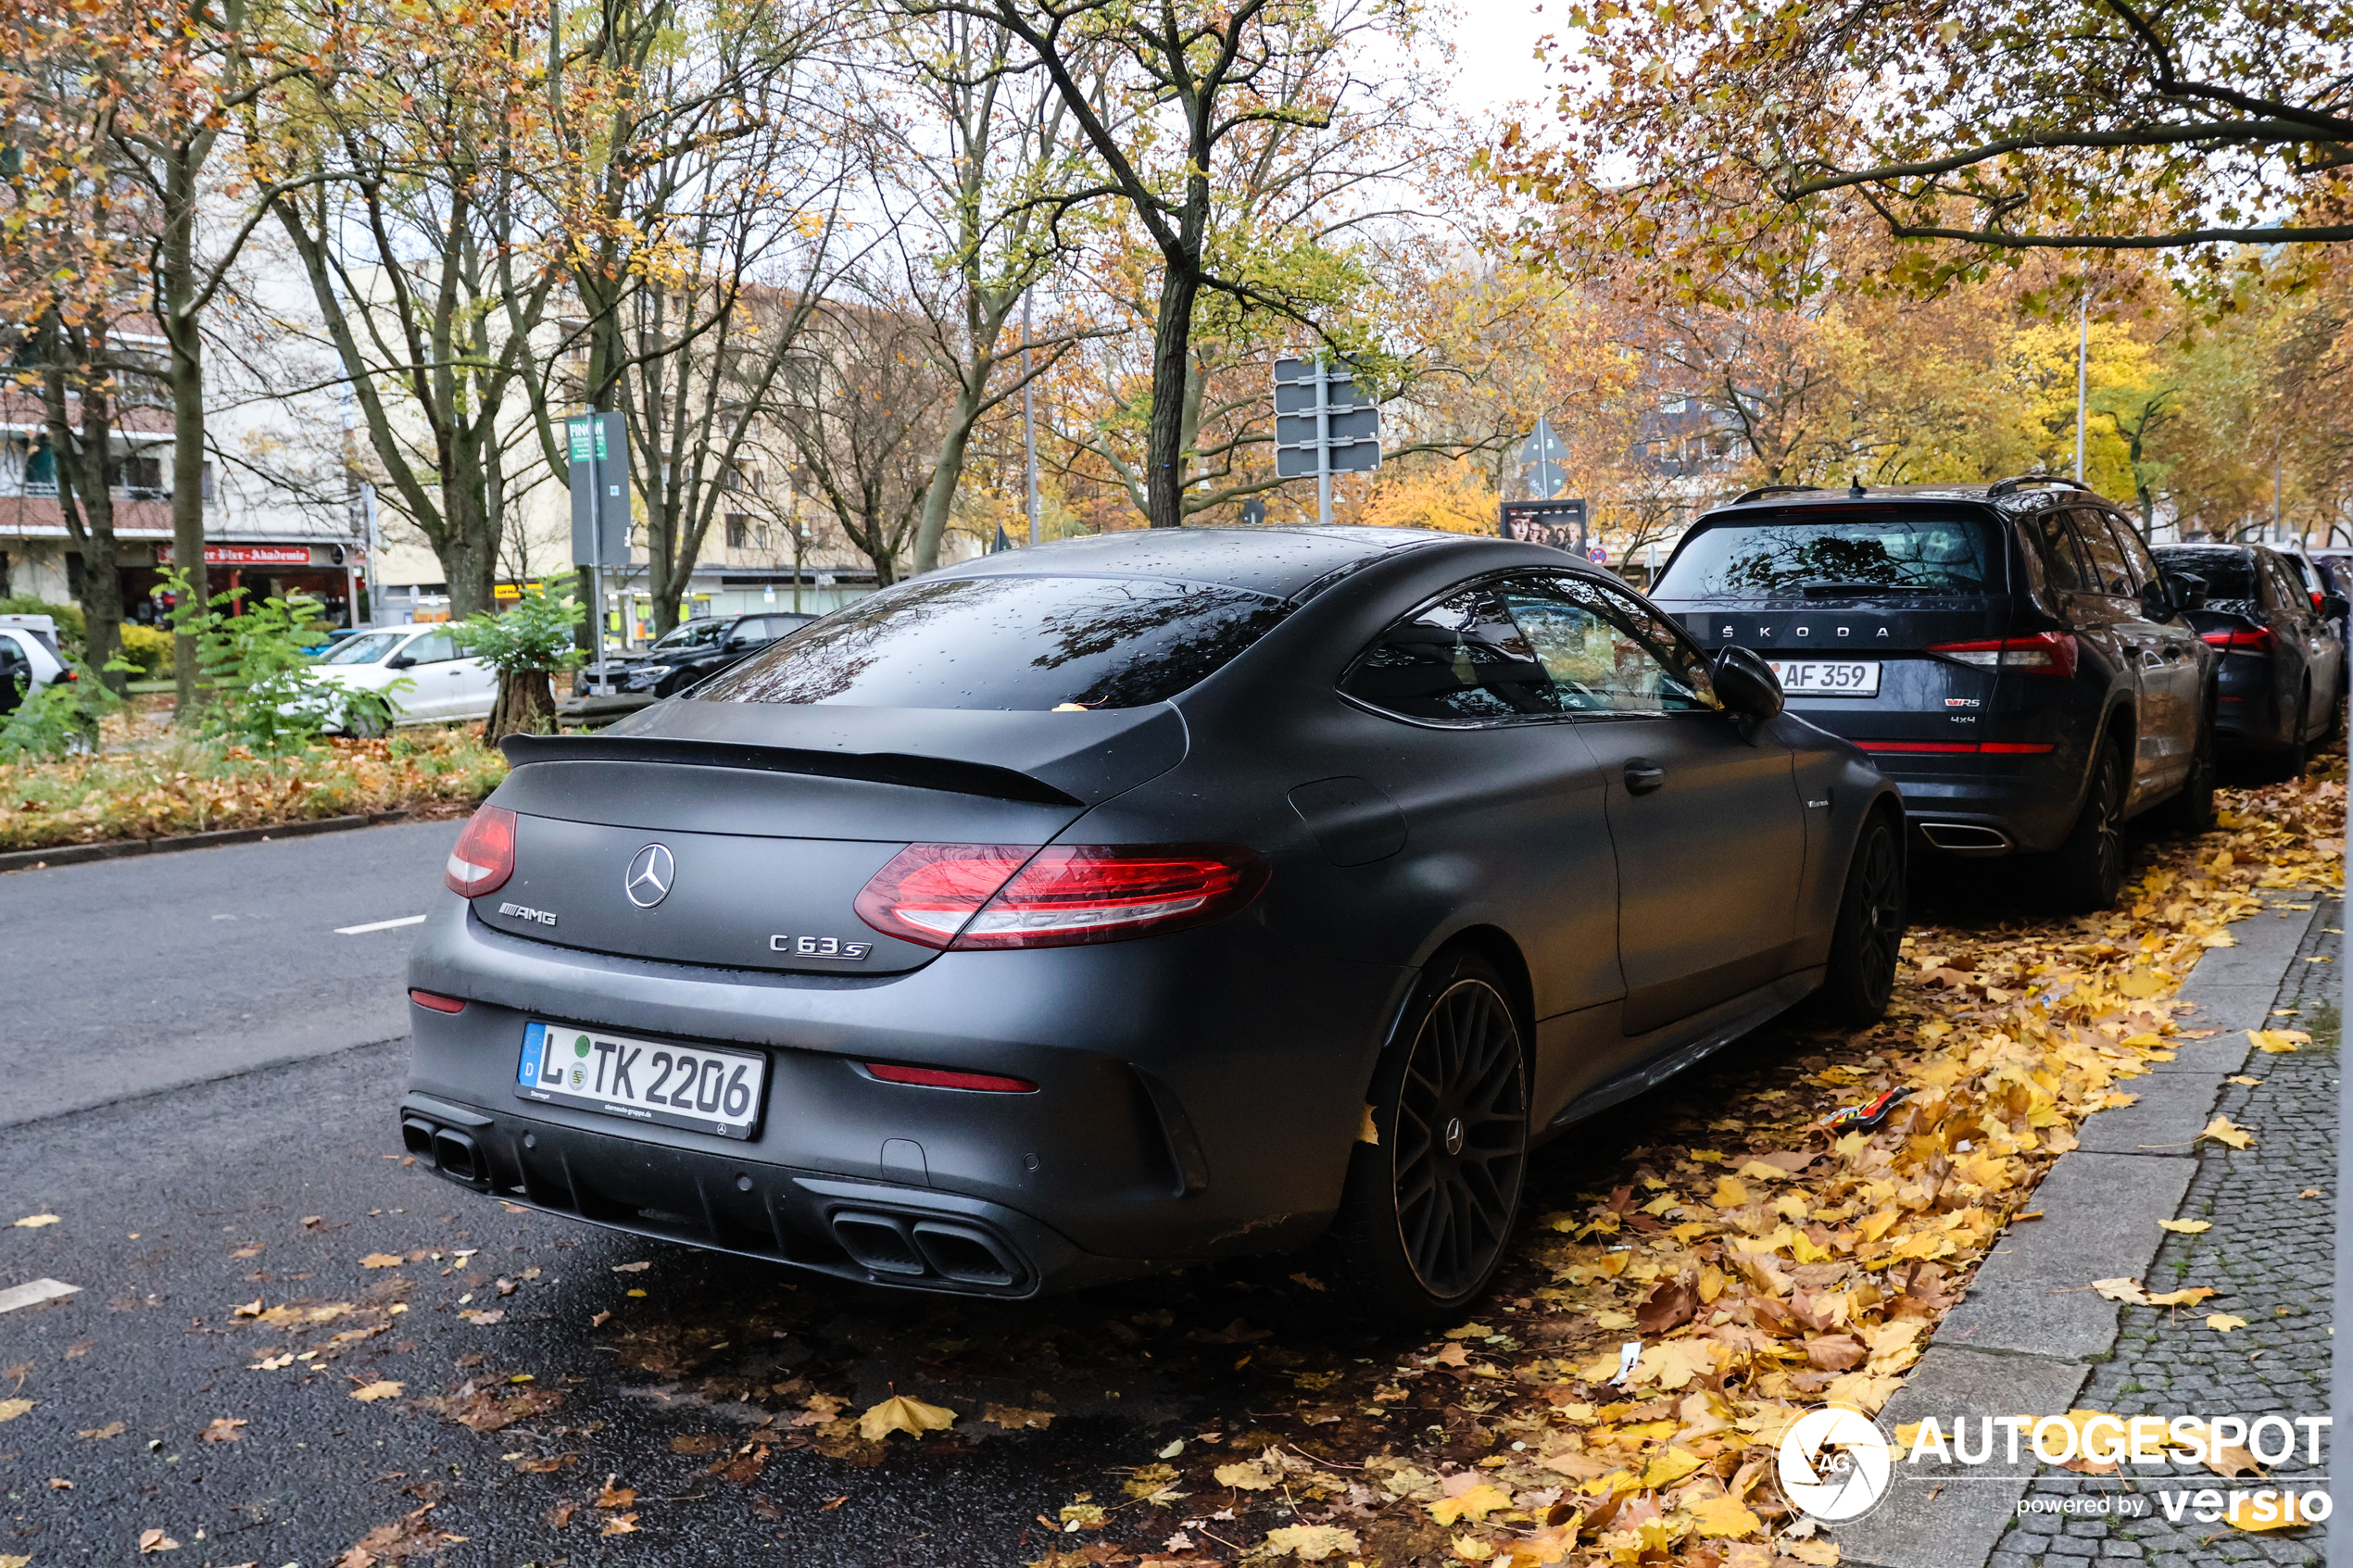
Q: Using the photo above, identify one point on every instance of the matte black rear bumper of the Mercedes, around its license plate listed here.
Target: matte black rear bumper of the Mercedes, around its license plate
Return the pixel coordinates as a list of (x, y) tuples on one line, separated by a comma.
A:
[(1175, 1120)]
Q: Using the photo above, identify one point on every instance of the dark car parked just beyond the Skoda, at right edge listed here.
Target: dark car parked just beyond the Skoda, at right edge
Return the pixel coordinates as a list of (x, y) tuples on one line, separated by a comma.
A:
[(2284, 666)]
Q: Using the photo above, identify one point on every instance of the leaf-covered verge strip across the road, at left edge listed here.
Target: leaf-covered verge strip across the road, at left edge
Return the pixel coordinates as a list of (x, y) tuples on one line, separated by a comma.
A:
[(196, 786)]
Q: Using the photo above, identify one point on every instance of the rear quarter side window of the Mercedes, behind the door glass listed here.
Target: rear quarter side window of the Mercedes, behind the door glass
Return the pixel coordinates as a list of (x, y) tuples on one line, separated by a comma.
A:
[(1460, 662)]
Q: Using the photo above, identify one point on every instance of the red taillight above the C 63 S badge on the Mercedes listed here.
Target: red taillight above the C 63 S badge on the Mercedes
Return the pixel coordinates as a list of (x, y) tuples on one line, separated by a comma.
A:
[(1060, 897)]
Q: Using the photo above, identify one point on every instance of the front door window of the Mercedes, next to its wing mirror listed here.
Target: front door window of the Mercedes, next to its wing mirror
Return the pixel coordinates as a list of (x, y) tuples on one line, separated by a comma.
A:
[(1604, 650)]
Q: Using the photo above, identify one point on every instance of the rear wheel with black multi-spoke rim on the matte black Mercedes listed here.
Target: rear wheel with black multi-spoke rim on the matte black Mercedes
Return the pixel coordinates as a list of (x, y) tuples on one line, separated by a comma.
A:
[(1427, 1212)]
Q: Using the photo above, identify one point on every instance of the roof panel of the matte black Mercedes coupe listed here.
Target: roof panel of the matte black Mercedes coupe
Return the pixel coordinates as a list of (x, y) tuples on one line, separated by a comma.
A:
[(1260, 561)]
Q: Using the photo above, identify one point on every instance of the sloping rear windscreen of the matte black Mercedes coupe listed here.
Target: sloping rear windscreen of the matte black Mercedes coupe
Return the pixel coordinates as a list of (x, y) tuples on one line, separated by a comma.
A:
[(1008, 643)]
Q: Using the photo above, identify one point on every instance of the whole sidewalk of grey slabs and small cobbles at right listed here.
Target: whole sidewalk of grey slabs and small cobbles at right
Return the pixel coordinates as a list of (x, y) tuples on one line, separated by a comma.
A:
[(2032, 1339)]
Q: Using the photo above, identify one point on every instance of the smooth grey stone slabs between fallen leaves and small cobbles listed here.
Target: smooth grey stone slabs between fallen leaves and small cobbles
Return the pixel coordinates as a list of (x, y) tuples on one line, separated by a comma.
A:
[(2027, 1334)]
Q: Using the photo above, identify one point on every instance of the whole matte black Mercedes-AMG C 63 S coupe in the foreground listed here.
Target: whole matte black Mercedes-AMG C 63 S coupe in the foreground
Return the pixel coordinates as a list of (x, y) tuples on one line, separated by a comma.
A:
[(1145, 899)]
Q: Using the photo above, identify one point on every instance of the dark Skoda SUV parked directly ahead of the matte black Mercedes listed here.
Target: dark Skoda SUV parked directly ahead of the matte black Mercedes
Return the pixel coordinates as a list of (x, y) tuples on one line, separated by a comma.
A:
[(2006, 652)]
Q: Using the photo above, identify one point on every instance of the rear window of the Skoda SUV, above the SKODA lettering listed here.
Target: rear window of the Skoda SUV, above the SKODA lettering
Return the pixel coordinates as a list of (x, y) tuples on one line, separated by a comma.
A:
[(1799, 551)]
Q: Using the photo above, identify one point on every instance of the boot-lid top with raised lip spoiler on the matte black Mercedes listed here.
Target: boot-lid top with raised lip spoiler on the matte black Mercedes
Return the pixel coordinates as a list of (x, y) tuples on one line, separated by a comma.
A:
[(1041, 758)]
